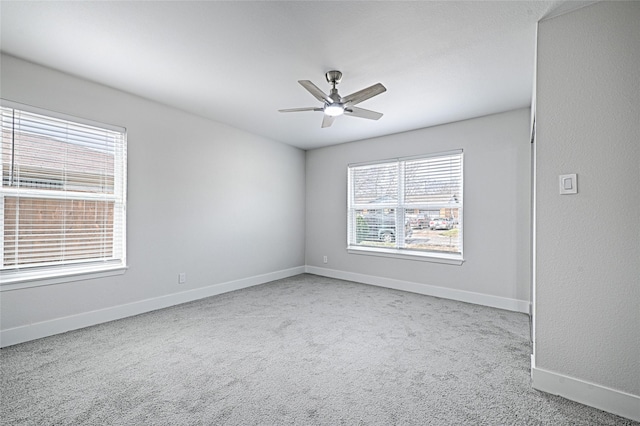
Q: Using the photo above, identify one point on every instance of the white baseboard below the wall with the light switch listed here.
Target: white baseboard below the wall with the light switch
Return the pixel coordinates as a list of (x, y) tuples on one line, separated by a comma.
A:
[(597, 396)]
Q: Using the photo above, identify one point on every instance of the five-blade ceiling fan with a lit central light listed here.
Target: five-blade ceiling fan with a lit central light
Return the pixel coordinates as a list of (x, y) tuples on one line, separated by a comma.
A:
[(335, 105)]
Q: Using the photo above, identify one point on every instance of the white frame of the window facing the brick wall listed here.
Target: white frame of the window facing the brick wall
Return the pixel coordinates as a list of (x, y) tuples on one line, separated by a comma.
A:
[(12, 278)]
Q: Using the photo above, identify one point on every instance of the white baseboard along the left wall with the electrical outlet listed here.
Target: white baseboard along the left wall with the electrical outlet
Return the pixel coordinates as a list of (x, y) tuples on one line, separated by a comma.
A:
[(13, 336)]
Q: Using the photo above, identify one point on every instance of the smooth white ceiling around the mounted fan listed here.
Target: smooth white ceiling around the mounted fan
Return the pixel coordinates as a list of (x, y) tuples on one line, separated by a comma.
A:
[(239, 62)]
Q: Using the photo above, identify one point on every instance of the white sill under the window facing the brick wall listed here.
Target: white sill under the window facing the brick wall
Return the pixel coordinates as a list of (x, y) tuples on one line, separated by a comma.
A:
[(42, 278)]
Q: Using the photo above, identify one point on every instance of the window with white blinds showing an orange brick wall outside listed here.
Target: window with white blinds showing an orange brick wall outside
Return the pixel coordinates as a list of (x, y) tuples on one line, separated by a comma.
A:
[(63, 196)]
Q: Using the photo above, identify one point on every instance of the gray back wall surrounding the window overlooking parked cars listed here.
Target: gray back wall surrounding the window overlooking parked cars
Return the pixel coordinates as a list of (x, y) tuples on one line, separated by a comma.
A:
[(497, 170)]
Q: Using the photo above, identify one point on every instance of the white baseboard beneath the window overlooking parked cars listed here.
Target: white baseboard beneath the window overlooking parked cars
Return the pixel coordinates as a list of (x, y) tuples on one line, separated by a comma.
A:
[(428, 290)]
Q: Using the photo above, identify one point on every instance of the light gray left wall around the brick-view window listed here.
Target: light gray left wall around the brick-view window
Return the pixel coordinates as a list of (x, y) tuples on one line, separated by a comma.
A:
[(203, 198)]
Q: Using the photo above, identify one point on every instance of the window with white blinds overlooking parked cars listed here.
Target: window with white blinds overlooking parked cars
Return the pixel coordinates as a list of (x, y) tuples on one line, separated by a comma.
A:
[(407, 207)]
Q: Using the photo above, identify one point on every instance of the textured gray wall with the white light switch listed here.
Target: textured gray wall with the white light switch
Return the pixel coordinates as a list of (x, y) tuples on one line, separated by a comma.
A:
[(587, 291)]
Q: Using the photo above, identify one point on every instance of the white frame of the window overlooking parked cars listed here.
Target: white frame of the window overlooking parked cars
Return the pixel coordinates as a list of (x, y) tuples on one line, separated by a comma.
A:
[(399, 206)]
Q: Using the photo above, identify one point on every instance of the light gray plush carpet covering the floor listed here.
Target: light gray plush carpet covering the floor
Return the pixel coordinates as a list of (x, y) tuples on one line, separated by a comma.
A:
[(306, 350)]
